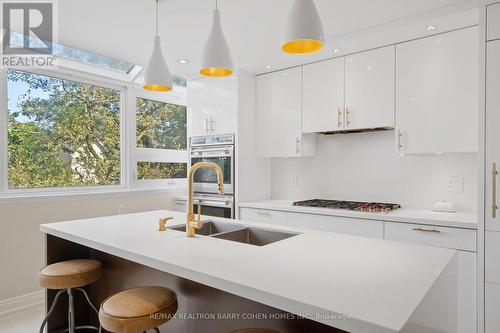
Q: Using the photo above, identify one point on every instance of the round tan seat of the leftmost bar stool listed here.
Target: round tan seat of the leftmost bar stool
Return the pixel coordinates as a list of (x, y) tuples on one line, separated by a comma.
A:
[(70, 274)]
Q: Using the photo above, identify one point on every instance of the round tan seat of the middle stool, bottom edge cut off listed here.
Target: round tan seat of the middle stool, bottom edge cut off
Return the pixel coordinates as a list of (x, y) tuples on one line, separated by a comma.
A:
[(138, 309)]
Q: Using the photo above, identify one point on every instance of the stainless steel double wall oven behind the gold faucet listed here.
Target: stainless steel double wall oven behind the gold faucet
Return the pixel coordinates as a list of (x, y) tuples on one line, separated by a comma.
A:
[(218, 149)]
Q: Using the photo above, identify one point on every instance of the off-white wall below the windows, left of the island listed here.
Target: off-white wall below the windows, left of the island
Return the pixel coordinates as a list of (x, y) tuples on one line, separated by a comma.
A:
[(22, 244)]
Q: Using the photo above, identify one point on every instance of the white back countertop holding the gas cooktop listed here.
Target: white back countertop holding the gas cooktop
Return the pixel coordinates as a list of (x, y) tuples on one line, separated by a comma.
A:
[(408, 215)]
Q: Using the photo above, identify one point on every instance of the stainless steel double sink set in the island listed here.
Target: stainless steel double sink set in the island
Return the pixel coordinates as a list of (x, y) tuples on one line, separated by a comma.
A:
[(239, 233)]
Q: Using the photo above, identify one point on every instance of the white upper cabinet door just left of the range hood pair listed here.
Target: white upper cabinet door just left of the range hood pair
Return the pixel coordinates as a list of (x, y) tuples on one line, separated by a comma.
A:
[(279, 113)]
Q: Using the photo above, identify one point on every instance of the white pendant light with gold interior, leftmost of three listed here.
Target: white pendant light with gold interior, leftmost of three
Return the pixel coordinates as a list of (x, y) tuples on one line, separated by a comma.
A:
[(157, 76)]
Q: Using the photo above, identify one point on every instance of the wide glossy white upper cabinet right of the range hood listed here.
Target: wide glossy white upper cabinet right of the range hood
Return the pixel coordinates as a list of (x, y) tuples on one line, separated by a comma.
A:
[(437, 93)]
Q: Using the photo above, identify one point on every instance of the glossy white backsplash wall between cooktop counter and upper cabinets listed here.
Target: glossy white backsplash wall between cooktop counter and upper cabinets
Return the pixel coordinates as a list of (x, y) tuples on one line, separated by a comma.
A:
[(365, 167)]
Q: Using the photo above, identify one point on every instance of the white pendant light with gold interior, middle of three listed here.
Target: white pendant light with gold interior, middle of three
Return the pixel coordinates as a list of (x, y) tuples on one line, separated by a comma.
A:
[(216, 59)]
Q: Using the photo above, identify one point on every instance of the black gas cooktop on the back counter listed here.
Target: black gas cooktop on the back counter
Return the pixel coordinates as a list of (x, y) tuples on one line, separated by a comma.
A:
[(349, 205)]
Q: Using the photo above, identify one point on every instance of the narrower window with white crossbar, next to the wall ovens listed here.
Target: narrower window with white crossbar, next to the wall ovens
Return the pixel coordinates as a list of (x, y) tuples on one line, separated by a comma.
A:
[(160, 139)]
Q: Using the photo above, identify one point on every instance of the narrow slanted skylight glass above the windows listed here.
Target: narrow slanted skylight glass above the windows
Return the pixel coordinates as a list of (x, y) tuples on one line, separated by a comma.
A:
[(77, 55)]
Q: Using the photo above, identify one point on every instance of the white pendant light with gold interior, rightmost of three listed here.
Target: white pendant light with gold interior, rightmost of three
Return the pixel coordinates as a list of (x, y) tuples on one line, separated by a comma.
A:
[(304, 30)]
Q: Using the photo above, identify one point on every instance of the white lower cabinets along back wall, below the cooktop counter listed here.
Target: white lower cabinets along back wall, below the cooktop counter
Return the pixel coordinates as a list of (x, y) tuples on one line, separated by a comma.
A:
[(462, 240)]
